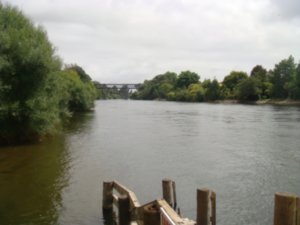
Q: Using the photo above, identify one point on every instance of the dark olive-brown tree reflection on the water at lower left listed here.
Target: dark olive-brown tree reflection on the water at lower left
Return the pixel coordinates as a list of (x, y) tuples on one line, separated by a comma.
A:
[(31, 180)]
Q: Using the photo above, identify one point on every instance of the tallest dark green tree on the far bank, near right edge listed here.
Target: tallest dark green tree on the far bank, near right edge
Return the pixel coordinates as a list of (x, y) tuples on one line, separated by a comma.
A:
[(282, 77)]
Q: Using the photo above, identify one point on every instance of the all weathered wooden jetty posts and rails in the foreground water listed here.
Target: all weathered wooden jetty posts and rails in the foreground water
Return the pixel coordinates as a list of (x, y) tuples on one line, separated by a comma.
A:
[(163, 211)]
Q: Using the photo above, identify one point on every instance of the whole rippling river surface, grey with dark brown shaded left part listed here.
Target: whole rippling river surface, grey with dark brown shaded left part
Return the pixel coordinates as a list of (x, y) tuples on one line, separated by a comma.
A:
[(245, 153)]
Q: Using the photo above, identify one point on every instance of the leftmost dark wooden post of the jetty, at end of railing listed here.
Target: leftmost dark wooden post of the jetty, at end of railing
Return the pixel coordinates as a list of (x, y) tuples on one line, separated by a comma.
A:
[(107, 198)]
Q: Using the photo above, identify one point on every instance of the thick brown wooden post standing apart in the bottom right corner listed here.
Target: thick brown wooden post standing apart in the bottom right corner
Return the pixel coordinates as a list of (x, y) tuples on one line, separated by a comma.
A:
[(285, 209)]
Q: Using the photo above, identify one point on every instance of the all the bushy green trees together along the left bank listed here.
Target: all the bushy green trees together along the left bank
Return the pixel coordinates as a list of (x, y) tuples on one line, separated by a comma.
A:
[(37, 92)]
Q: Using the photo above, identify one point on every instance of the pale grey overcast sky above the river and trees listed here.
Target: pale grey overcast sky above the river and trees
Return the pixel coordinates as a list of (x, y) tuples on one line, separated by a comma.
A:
[(133, 40)]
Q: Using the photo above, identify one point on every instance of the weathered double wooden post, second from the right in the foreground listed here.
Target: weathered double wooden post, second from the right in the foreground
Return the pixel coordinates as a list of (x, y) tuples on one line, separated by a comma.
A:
[(206, 207)]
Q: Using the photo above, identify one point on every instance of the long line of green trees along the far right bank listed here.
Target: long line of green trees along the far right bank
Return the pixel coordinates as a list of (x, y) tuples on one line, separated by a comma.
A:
[(282, 82)]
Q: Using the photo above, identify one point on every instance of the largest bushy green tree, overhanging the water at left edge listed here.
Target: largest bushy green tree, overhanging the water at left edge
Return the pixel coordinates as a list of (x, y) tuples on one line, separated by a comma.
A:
[(28, 67)]
